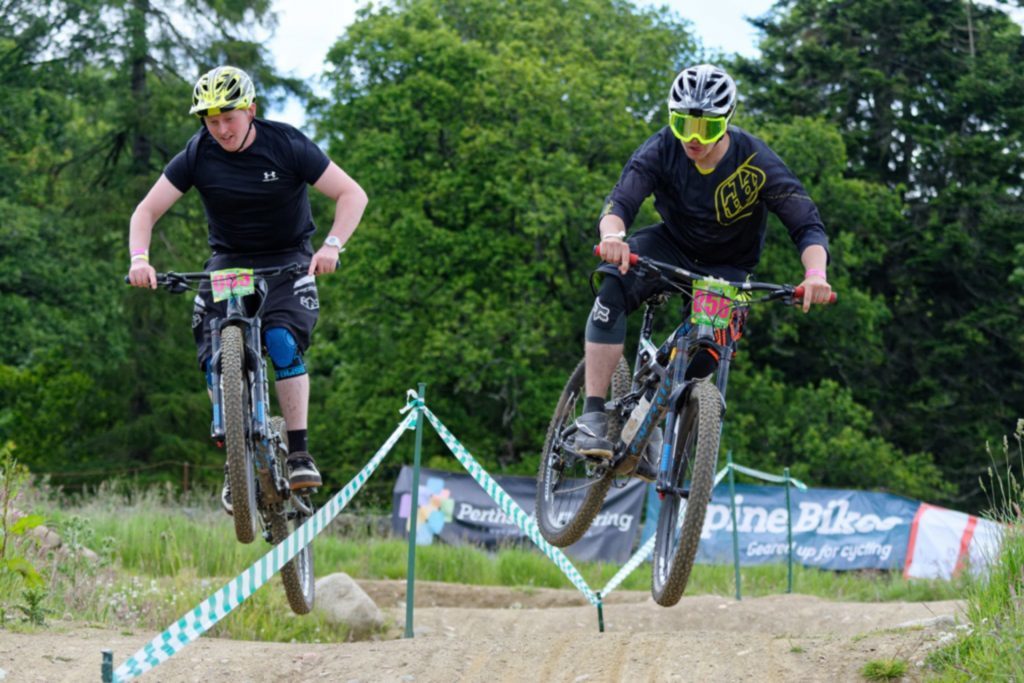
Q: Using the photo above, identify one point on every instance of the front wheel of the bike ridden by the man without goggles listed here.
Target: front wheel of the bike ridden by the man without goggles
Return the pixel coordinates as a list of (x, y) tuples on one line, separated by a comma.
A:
[(235, 390)]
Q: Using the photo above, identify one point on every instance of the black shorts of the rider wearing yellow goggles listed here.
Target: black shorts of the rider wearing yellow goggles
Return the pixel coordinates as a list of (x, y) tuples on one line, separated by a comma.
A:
[(656, 242)]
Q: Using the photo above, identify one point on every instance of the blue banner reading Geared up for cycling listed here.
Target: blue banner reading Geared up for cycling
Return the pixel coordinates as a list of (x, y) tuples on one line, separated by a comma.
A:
[(836, 530)]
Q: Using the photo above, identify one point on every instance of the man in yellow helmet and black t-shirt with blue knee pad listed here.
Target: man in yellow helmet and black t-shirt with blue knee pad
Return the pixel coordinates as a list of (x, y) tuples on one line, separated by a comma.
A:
[(252, 176)]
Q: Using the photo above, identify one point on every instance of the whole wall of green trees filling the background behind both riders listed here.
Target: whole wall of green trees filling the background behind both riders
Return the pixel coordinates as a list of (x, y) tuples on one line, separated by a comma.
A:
[(488, 138)]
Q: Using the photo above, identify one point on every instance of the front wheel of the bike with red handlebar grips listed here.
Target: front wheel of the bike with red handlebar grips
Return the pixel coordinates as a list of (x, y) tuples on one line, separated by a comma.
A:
[(696, 443)]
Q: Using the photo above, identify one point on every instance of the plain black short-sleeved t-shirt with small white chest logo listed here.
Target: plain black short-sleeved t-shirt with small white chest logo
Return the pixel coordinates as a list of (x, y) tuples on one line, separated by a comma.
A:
[(255, 200)]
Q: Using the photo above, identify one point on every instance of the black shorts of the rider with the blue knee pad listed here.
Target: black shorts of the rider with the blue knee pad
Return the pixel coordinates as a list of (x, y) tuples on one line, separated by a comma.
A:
[(292, 302)]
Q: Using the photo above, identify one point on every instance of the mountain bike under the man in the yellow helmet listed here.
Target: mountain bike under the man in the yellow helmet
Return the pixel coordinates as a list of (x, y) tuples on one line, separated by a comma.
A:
[(257, 444)]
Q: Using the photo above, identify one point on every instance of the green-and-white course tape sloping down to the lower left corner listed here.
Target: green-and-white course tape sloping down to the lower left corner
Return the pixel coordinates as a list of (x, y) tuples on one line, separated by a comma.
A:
[(218, 607)]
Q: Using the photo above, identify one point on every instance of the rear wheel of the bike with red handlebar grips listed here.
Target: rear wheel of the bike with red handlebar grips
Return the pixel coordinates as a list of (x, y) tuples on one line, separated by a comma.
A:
[(571, 489)]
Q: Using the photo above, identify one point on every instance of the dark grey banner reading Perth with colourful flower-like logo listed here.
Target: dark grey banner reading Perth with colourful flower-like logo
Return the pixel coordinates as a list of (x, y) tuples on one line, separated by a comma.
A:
[(455, 510)]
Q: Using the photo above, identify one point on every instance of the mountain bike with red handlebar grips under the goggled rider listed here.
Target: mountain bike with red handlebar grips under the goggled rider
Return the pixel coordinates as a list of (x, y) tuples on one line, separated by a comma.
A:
[(572, 487)]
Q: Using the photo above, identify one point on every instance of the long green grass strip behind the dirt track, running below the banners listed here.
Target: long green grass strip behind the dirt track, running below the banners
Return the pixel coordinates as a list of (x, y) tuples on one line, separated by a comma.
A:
[(161, 556)]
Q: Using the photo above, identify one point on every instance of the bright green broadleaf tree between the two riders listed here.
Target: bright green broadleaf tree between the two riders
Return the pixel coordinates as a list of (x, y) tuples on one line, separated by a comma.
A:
[(486, 141)]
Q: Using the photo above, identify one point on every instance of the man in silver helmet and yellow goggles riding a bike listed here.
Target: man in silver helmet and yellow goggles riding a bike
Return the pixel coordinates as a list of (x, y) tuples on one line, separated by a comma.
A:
[(713, 185)]
